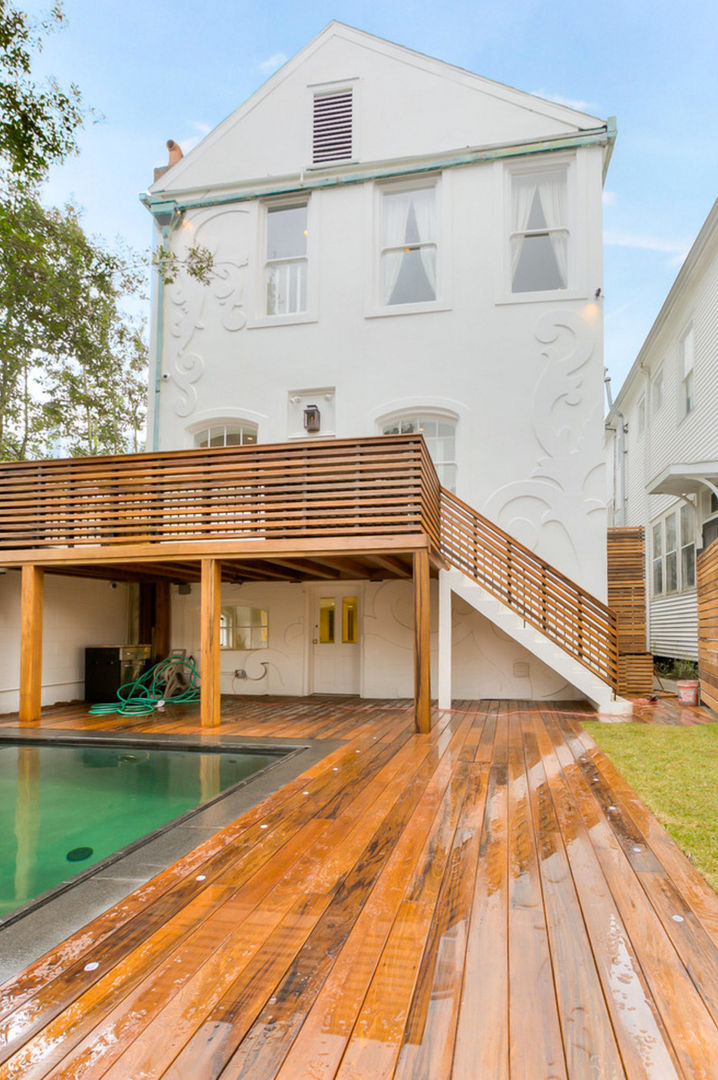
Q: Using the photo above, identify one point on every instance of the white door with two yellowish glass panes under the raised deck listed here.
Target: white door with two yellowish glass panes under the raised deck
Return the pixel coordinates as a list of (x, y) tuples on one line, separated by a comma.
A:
[(335, 640)]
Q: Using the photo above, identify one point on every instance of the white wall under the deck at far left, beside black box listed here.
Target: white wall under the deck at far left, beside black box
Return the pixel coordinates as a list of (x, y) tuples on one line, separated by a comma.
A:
[(76, 614)]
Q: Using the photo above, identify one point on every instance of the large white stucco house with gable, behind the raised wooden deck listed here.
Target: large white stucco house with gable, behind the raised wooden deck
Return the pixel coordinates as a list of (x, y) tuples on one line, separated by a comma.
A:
[(399, 246)]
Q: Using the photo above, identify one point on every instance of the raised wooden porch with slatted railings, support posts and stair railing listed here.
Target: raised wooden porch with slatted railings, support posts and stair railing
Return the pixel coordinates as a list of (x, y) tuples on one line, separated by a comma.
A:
[(344, 509)]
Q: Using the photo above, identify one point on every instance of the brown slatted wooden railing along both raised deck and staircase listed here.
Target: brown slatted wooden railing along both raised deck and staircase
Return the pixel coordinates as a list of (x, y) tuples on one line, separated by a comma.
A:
[(383, 487)]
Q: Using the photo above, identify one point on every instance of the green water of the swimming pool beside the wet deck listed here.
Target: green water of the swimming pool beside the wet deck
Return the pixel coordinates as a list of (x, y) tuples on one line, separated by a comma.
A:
[(64, 808)]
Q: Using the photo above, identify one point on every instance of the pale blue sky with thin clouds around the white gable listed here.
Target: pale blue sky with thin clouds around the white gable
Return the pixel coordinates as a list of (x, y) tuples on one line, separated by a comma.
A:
[(157, 70)]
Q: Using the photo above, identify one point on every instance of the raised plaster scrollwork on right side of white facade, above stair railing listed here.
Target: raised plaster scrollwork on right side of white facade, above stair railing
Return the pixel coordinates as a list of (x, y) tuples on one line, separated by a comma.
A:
[(550, 511)]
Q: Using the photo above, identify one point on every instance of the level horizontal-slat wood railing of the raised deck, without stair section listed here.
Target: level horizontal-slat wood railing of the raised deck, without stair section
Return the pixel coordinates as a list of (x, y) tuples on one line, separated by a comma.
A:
[(377, 487)]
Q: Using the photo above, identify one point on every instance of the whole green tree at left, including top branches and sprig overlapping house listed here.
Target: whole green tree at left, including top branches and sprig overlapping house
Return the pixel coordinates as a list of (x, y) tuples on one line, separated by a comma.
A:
[(73, 363)]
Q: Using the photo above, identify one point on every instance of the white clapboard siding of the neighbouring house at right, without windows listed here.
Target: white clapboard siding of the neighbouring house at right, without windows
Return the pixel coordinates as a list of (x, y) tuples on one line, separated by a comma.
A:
[(671, 438)]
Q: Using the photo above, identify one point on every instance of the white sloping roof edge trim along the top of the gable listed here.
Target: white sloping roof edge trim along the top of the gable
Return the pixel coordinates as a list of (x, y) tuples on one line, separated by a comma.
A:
[(563, 119)]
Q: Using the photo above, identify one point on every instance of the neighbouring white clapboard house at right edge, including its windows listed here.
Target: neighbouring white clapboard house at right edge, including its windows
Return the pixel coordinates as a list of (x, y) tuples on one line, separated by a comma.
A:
[(662, 447)]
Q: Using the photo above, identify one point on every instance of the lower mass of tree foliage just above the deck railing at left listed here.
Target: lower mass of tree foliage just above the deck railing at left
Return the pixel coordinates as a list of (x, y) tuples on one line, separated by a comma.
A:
[(73, 366)]
